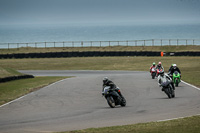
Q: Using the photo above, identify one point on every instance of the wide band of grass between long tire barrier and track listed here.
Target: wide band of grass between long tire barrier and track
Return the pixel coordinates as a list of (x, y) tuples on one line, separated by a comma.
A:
[(189, 65)]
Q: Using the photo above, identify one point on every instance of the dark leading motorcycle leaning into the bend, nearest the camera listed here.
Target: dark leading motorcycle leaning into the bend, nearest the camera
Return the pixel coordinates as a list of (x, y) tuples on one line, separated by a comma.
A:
[(113, 98)]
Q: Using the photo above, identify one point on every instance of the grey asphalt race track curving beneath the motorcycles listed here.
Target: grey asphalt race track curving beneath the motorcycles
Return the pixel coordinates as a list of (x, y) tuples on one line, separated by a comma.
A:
[(76, 103)]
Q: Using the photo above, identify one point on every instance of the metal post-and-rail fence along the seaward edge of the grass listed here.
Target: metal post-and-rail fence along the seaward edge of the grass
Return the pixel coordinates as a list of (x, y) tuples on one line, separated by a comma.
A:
[(150, 42)]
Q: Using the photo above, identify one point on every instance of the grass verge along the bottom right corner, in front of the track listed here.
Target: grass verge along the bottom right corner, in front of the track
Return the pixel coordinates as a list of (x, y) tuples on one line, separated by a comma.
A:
[(185, 125)]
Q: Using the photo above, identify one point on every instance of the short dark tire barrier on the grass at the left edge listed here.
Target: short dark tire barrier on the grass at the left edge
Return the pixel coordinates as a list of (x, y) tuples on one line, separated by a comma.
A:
[(11, 78)]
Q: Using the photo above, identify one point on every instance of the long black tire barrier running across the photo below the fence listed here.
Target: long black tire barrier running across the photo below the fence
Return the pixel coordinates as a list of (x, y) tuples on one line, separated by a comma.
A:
[(94, 54)]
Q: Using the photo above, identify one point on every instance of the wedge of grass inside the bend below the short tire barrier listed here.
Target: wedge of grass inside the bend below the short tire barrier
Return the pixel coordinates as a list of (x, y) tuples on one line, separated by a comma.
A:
[(17, 88)]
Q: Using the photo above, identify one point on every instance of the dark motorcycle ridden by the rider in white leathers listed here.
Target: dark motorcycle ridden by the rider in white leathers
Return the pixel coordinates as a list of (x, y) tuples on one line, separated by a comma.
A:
[(168, 89)]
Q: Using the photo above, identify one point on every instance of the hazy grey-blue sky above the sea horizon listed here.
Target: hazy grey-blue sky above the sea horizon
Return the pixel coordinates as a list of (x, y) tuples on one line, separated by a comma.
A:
[(99, 11)]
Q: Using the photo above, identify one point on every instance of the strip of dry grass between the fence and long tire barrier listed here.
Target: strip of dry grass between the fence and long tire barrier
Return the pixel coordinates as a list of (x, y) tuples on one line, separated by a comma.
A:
[(111, 48)]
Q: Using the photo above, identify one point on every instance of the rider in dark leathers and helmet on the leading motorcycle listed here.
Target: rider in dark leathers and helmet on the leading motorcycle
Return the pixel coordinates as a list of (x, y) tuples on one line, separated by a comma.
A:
[(107, 82)]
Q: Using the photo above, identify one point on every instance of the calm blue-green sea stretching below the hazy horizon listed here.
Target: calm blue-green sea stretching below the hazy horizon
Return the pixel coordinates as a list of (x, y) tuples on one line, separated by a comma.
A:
[(60, 33)]
